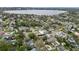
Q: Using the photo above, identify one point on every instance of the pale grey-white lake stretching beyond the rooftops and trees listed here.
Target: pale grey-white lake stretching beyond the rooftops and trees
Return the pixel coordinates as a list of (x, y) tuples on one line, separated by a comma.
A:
[(36, 12)]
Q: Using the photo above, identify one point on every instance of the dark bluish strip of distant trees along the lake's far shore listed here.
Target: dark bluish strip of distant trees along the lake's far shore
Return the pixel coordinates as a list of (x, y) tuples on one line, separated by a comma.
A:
[(40, 8)]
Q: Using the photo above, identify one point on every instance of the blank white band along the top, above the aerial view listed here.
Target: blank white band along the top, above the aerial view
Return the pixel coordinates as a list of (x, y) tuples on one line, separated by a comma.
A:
[(39, 3)]
